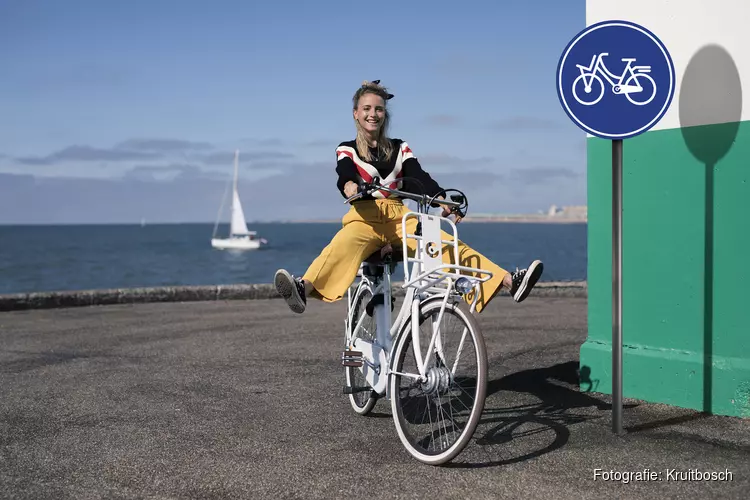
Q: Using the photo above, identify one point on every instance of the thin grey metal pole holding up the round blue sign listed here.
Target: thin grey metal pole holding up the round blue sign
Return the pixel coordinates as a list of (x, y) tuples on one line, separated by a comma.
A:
[(617, 286)]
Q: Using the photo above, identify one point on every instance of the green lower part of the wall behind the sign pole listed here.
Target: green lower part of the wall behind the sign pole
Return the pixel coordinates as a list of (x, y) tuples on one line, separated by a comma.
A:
[(686, 268)]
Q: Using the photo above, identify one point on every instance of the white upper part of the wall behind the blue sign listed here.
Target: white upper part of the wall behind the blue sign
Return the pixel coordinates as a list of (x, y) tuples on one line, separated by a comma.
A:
[(685, 26)]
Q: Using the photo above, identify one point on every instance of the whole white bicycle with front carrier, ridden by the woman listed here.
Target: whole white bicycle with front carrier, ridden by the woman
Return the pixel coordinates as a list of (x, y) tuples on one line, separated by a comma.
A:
[(414, 360)]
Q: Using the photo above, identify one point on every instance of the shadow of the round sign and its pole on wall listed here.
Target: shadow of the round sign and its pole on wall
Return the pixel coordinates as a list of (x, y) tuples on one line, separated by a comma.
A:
[(710, 114)]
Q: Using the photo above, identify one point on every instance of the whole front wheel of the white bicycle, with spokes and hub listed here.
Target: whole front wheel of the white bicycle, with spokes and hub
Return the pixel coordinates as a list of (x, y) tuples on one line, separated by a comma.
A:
[(436, 416)]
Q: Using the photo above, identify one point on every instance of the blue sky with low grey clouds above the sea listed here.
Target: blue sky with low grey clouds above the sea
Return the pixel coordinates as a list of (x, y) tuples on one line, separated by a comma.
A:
[(113, 112)]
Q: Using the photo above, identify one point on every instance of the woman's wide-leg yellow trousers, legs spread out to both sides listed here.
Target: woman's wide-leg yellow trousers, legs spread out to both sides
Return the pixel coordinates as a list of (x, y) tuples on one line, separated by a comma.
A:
[(368, 226)]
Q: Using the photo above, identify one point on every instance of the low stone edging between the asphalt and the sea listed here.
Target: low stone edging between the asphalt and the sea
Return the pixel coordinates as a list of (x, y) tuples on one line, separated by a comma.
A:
[(80, 298)]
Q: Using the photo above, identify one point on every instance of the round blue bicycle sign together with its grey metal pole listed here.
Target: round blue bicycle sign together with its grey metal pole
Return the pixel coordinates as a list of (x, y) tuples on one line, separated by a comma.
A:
[(615, 112)]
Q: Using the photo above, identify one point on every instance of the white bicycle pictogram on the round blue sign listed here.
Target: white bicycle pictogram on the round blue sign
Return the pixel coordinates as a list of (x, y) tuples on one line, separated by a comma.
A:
[(631, 85)]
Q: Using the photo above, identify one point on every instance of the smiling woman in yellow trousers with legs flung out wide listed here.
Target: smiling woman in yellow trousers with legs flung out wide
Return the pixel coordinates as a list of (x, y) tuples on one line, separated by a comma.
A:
[(374, 221)]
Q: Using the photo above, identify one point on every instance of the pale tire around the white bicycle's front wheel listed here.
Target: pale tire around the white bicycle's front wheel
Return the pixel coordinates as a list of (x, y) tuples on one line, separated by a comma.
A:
[(459, 309)]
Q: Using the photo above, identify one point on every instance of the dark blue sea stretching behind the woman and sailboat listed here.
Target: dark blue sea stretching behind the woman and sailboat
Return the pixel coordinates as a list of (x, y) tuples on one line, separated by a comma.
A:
[(85, 256)]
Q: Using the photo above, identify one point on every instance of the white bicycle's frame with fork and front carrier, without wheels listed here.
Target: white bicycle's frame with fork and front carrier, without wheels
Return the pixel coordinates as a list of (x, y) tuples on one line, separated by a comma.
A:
[(426, 278)]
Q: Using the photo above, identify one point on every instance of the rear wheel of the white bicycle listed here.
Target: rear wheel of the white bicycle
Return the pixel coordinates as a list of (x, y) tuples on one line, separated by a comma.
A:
[(363, 401)]
